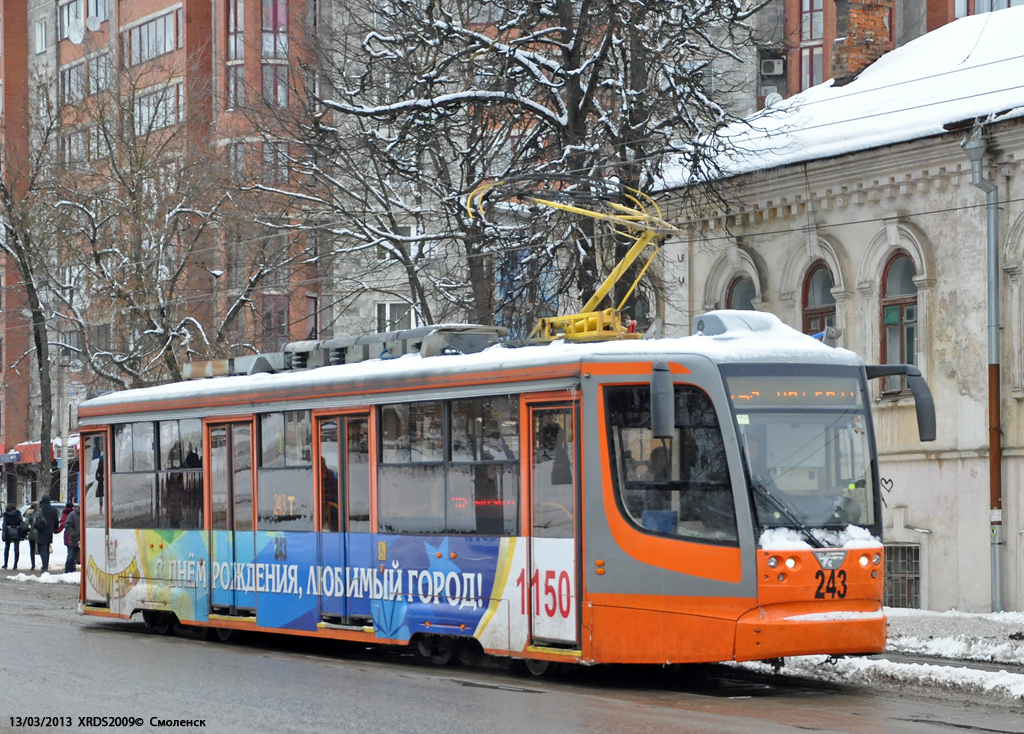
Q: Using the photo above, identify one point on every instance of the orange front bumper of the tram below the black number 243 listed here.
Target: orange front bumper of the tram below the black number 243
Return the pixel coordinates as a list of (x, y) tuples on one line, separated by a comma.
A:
[(809, 629)]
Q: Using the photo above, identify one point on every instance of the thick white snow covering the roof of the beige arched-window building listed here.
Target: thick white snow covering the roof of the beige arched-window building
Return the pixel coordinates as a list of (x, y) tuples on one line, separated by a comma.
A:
[(970, 69)]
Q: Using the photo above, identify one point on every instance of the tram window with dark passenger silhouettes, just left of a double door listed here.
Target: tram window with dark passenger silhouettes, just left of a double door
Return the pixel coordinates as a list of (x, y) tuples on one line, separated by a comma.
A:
[(180, 480)]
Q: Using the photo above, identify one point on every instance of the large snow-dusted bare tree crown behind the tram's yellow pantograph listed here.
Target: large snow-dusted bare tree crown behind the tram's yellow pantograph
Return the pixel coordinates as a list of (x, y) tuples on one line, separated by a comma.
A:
[(421, 102)]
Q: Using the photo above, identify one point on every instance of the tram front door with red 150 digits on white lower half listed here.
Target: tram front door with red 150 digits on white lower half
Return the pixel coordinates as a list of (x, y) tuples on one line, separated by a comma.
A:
[(554, 492)]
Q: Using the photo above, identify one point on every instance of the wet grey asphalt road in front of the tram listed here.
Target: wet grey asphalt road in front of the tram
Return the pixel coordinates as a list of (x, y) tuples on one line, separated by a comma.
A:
[(72, 667)]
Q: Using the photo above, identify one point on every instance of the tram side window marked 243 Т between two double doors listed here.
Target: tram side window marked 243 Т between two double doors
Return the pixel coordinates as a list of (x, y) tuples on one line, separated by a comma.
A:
[(286, 474)]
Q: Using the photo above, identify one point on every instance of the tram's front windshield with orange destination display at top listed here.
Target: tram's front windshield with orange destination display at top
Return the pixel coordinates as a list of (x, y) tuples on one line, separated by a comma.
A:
[(805, 442)]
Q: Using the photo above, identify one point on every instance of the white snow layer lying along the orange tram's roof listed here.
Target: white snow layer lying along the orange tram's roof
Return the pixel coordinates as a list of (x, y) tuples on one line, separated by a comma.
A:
[(748, 337)]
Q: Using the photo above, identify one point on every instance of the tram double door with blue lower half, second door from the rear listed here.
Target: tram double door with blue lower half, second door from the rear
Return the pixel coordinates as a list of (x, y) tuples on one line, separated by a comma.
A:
[(233, 544)]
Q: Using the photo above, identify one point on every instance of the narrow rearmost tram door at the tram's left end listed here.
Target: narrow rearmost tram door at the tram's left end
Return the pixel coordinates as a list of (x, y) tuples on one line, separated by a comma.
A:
[(95, 497)]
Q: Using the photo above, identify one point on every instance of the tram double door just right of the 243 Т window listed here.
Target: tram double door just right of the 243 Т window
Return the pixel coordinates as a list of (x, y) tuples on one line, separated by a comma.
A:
[(345, 502)]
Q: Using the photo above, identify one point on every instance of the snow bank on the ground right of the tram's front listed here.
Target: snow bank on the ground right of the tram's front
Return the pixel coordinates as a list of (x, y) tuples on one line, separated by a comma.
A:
[(997, 638)]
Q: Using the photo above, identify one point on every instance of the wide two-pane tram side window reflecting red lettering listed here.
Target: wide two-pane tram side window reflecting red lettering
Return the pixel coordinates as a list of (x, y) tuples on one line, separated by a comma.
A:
[(450, 467)]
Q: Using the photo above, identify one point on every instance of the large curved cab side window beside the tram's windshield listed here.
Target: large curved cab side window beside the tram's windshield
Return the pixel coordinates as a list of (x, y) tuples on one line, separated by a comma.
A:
[(678, 487)]
